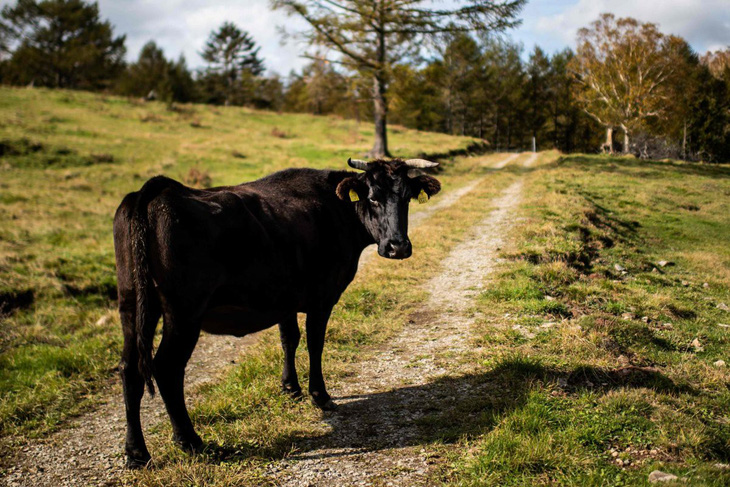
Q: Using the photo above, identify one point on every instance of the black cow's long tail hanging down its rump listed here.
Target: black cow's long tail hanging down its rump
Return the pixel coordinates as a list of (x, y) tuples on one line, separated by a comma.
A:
[(144, 325)]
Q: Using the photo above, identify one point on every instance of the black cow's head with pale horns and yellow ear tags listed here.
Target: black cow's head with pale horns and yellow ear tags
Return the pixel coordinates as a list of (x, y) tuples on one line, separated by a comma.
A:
[(381, 195)]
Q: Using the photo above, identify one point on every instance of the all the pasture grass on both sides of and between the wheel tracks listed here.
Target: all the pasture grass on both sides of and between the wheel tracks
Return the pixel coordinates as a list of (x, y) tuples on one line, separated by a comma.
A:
[(596, 347)]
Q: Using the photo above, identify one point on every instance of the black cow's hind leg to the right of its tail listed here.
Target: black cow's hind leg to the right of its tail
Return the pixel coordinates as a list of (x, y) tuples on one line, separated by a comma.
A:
[(178, 341)]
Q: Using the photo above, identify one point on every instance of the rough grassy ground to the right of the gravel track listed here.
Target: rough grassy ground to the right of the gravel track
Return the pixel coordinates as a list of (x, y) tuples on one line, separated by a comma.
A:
[(612, 387)]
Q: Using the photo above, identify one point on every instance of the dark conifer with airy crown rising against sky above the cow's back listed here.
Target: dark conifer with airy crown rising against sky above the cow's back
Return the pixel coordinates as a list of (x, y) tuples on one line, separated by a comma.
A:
[(232, 57)]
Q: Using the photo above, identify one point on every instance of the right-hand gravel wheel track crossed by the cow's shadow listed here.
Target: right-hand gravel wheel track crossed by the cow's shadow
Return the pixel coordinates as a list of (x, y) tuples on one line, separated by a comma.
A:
[(373, 438)]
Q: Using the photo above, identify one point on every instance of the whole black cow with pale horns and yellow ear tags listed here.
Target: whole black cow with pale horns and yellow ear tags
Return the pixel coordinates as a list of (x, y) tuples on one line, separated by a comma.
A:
[(238, 259)]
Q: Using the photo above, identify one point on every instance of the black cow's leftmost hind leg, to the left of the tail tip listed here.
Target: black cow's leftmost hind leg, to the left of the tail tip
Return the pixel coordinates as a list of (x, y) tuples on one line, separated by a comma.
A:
[(133, 384)]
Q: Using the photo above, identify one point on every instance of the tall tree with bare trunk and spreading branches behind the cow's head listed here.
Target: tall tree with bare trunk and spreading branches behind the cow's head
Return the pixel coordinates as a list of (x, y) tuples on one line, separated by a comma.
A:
[(371, 36)]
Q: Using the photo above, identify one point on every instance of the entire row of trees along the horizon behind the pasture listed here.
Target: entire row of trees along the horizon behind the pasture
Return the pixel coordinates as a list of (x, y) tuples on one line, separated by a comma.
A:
[(626, 87)]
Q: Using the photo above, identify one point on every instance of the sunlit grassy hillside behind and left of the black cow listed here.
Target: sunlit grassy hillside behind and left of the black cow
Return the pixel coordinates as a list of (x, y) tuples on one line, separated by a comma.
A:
[(57, 201)]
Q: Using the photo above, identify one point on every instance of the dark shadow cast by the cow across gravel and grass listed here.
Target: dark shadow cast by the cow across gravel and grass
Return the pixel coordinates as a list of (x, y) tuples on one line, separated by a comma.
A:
[(447, 408)]
